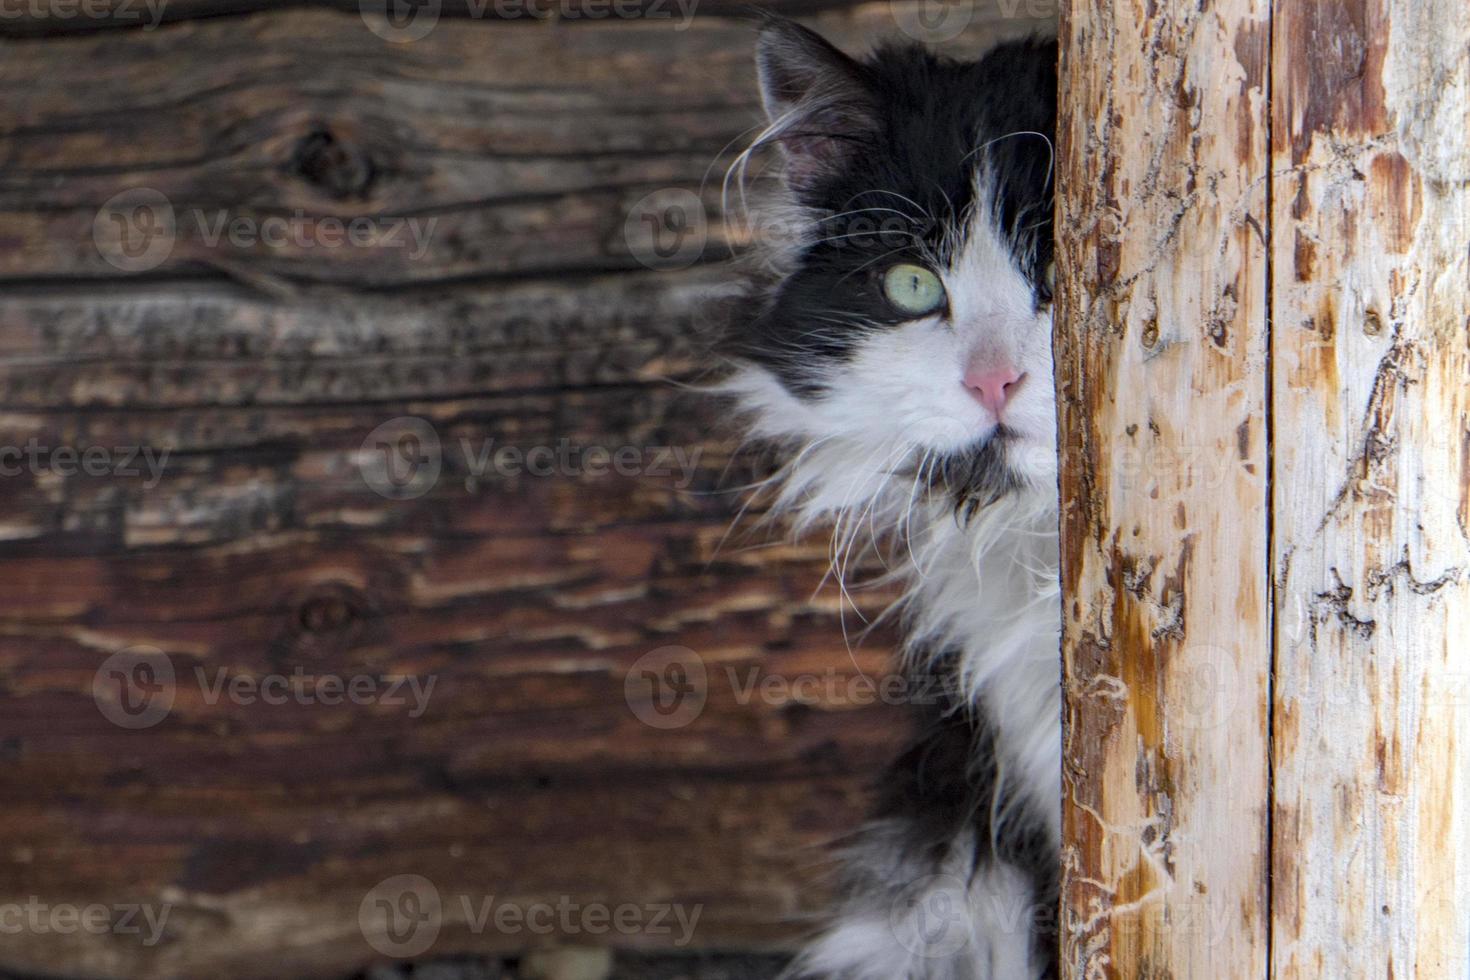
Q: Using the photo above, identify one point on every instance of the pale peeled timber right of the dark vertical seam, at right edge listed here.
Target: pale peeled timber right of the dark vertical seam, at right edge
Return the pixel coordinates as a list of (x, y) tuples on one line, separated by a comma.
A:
[(1372, 494)]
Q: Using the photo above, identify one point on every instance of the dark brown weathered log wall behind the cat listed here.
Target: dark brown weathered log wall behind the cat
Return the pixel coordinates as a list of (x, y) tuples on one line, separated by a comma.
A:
[(261, 550)]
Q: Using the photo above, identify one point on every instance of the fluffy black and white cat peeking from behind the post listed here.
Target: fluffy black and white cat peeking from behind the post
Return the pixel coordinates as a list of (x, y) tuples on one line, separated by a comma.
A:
[(902, 353)]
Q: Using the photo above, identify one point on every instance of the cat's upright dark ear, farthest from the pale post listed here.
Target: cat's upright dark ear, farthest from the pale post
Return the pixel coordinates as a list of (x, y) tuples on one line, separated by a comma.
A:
[(821, 109)]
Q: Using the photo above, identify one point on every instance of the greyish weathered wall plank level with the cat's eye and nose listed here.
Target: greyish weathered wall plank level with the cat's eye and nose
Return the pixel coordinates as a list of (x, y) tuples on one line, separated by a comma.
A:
[(205, 346)]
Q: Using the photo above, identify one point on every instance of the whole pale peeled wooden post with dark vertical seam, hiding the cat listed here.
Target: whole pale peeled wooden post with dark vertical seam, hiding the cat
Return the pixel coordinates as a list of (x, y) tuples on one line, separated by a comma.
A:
[(1265, 381)]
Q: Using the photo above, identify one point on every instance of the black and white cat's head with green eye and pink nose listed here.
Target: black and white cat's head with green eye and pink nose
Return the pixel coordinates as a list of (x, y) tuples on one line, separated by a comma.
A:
[(914, 312)]
